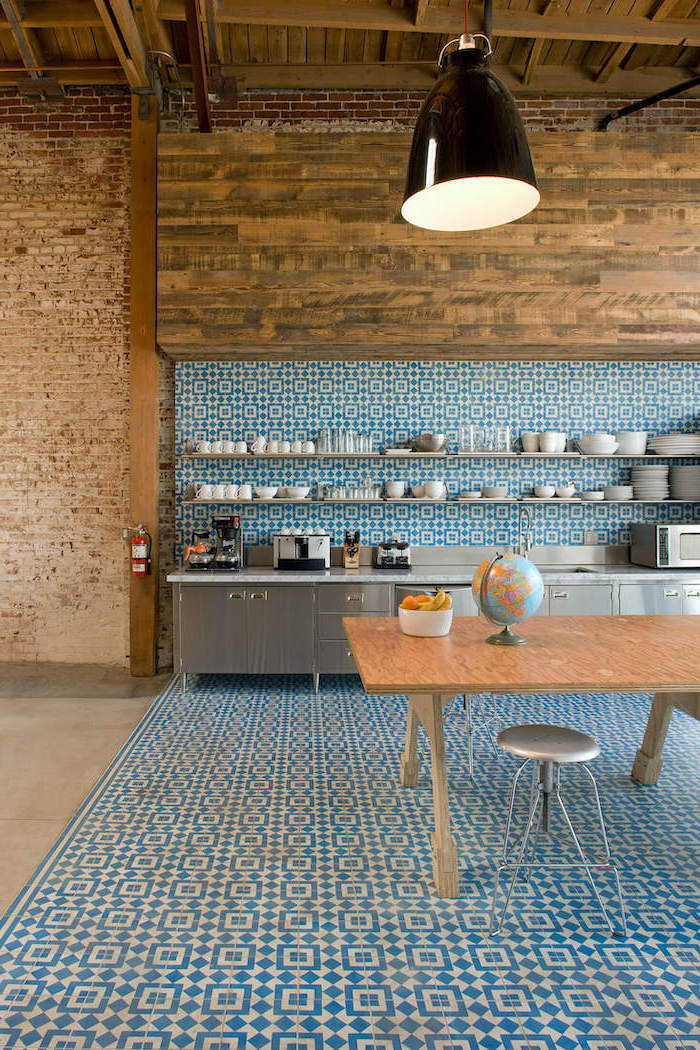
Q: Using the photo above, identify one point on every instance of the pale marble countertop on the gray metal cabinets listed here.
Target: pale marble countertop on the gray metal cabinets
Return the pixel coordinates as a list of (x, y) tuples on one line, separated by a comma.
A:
[(448, 576)]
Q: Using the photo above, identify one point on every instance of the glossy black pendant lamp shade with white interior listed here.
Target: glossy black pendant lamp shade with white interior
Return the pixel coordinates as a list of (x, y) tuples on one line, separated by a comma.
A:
[(471, 166)]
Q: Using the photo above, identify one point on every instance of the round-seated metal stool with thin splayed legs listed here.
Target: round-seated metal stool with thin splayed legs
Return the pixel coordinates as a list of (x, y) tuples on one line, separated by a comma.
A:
[(548, 748)]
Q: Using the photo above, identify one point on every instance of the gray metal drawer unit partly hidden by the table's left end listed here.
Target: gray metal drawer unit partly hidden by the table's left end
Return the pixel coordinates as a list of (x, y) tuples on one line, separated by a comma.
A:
[(336, 601)]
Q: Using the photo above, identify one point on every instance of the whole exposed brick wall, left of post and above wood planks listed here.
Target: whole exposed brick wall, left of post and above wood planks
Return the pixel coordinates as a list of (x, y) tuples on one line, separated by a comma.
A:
[(65, 292)]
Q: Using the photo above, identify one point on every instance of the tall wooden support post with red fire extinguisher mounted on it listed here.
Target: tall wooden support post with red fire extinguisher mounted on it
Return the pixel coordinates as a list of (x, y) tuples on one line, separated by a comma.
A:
[(144, 418)]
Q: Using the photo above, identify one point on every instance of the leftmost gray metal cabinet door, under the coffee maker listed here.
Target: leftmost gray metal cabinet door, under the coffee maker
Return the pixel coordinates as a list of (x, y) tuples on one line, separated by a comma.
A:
[(213, 632)]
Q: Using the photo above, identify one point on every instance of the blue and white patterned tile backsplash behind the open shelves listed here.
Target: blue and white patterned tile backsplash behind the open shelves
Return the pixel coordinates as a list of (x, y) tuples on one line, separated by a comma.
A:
[(393, 401)]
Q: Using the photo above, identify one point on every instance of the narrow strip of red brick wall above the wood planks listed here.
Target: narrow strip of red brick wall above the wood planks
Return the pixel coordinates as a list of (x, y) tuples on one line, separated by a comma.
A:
[(400, 110)]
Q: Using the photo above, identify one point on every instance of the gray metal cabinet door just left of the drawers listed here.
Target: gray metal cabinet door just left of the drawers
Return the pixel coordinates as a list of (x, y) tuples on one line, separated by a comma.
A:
[(281, 631)]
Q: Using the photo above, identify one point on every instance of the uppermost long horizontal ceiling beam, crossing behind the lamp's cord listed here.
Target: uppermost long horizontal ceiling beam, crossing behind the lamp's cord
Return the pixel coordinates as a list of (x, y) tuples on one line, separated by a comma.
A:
[(358, 15)]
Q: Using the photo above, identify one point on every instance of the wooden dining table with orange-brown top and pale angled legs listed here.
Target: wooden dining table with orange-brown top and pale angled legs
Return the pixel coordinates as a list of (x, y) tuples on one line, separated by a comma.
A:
[(564, 655)]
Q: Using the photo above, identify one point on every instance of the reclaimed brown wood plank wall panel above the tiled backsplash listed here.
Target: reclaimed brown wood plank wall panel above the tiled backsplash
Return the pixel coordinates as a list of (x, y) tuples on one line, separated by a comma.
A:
[(290, 245)]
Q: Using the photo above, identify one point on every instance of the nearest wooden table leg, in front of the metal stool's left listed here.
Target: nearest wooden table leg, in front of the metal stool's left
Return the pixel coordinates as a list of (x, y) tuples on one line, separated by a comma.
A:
[(430, 710)]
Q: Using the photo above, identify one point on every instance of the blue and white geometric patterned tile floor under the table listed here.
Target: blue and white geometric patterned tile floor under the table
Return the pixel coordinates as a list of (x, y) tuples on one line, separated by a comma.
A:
[(250, 876)]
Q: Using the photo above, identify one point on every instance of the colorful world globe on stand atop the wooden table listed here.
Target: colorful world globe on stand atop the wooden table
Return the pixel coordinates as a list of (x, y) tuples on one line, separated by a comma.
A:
[(514, 591)]
